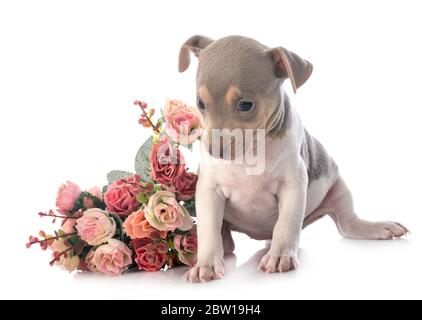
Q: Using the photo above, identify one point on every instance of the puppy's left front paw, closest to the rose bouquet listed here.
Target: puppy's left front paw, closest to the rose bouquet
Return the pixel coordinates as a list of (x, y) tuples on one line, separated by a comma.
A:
[(205, 272)]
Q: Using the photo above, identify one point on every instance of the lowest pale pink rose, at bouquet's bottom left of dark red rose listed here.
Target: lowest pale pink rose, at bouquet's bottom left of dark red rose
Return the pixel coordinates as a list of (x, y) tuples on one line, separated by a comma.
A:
[(112, 258)]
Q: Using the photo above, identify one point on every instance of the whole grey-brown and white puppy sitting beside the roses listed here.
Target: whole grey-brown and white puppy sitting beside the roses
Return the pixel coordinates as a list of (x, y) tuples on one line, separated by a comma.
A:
[(239, 87)]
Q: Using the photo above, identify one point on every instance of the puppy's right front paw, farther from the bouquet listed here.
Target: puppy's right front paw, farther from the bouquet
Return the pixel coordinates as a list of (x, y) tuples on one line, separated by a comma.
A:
[(285, 261)]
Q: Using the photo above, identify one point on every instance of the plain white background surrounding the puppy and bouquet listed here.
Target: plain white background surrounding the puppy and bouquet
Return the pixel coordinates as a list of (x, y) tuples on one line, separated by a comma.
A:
[(69, 71)]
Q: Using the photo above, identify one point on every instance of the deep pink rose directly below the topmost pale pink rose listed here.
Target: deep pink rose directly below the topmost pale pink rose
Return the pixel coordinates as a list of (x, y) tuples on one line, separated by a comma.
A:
[(167, 162)]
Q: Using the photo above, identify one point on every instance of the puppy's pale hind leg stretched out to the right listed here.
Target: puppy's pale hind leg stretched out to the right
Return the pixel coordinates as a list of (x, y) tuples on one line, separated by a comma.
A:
[(338, 204)]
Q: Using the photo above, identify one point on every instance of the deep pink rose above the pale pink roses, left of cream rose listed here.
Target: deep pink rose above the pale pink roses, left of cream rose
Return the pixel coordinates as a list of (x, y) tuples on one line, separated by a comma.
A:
[(120, 196)]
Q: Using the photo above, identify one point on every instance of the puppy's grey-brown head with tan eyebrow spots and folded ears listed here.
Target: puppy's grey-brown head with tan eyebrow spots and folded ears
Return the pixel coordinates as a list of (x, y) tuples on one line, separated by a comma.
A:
[(238, 83)]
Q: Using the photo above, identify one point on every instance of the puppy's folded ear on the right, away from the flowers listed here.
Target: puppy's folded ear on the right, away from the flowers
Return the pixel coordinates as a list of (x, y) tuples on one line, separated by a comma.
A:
[(289, 65)]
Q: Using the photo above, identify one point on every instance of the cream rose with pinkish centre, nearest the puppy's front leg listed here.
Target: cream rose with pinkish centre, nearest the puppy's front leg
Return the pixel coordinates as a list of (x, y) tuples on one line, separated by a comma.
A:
[(164, 213)]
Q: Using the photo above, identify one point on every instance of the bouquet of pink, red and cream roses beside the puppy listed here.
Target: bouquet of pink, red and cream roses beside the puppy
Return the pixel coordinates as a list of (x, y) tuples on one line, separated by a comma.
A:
[(139, 221)]
